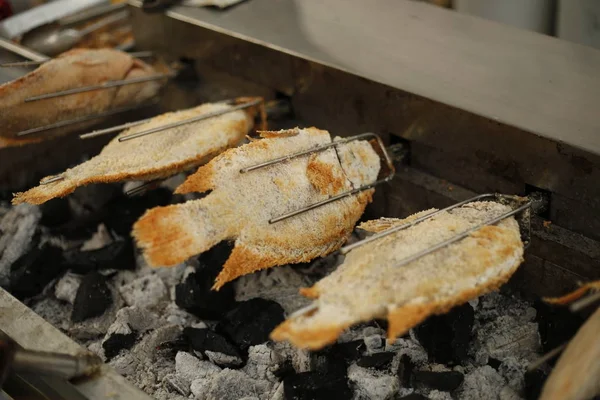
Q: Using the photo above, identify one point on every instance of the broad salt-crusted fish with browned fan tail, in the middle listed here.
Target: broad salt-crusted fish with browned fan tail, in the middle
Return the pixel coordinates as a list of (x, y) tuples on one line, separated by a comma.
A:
[(241, 204)]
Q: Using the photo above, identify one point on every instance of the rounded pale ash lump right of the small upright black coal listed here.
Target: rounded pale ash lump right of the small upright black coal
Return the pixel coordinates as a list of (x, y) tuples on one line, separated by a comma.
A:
[(145, 292)]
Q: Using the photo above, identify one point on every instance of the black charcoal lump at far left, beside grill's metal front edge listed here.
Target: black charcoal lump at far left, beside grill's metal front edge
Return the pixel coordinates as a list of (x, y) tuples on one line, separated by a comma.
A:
[(34, 270)]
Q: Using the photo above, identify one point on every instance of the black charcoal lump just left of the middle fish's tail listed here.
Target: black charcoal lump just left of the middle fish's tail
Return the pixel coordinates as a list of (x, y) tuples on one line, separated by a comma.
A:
[(121, 212)]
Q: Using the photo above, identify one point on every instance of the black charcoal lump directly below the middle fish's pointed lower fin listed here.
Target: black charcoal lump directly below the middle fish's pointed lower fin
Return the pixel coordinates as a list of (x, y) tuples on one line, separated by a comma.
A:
[(251, 322)]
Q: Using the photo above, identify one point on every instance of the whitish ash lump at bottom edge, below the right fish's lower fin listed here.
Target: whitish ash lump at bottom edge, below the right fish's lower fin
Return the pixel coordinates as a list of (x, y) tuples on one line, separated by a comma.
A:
[(372, 384)]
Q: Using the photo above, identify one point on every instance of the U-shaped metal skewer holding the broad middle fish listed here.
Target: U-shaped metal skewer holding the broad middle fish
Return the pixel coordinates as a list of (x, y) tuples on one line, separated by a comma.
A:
[(387, 159)]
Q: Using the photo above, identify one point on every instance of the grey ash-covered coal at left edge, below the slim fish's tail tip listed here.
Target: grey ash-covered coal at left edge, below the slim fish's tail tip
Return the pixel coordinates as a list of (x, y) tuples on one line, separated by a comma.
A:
[(17, 228)]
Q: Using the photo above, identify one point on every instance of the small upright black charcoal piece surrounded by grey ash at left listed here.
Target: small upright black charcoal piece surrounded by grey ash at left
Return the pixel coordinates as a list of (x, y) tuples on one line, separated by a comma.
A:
[(93, 297)]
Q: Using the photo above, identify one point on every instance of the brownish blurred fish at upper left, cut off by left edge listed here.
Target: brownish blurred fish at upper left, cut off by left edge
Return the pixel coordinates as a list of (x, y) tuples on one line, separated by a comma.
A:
[(72, 69)]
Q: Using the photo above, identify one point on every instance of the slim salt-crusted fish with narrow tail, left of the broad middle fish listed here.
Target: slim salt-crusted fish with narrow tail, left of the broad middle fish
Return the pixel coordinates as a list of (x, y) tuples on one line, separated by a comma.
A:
[(155, 156)]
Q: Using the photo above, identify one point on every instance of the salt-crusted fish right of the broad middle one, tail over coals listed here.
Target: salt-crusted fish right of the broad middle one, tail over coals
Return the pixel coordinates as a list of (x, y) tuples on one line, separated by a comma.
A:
[(370, 284)]
